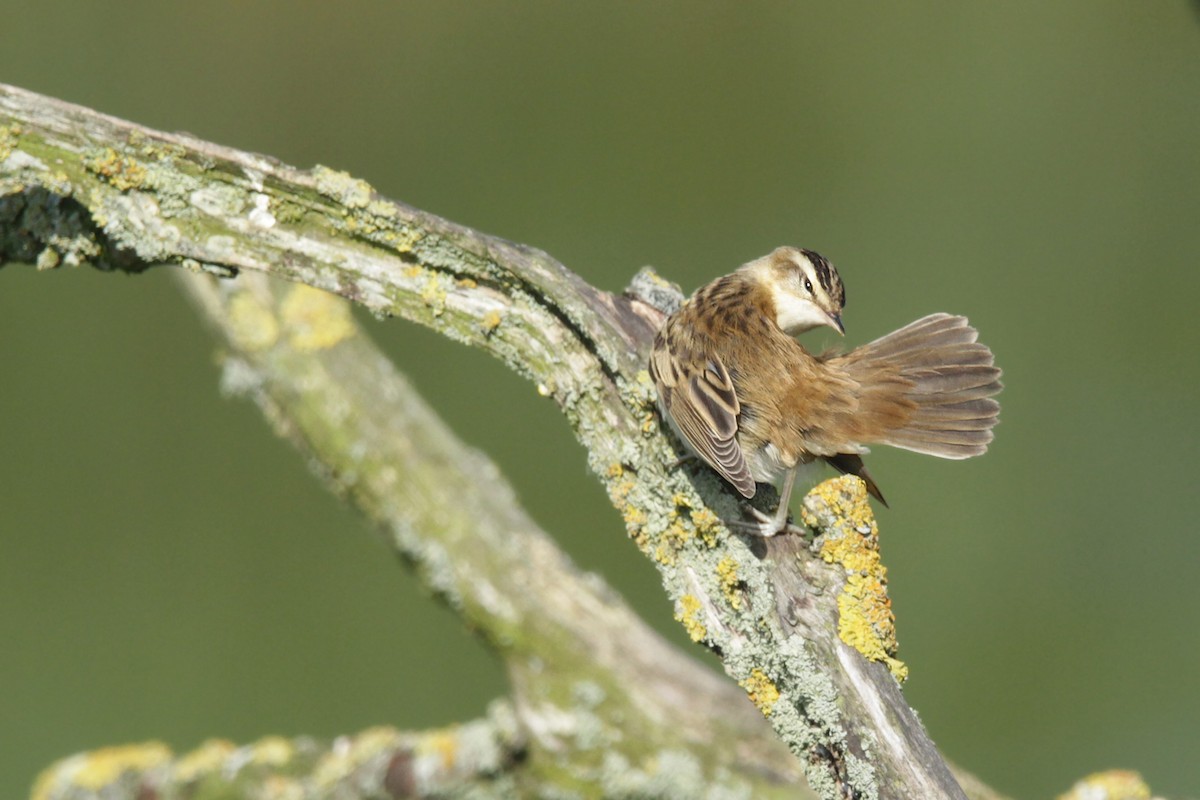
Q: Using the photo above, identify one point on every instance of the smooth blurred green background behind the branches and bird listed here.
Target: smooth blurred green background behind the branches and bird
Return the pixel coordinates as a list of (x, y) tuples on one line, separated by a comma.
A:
[(170, 570)]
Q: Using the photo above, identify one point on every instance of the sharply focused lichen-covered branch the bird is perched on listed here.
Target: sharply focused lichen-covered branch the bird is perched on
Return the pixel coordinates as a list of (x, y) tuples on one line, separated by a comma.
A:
[(77, 187)]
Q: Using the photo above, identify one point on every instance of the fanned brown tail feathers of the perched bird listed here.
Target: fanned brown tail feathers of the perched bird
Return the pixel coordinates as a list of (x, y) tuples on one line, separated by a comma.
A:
[(947, 381)]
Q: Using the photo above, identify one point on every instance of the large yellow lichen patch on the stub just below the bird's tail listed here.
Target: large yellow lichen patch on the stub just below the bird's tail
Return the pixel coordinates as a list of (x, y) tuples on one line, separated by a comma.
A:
[(866, 621)]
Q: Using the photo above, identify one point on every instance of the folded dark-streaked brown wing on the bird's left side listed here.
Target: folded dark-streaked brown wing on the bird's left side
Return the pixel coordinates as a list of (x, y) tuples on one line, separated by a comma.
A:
[(700, 399)]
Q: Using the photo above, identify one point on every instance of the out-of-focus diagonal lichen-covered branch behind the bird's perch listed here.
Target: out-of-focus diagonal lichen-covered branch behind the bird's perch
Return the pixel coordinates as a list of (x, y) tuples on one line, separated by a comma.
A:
[(596, 691)]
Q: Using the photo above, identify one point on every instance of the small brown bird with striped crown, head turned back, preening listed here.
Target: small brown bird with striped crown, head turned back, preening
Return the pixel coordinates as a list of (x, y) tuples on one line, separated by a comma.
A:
[(755, 405)]
